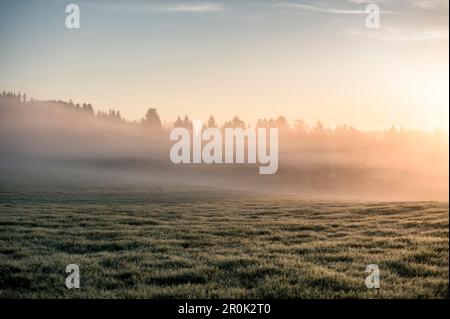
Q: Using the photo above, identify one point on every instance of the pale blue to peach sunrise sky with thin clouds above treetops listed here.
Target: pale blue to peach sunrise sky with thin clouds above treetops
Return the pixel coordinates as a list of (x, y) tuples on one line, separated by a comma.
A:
[(309, 60)]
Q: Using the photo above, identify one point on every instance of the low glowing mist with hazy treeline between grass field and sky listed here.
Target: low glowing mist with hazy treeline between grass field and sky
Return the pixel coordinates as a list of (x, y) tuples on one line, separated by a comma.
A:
[(67, 144)]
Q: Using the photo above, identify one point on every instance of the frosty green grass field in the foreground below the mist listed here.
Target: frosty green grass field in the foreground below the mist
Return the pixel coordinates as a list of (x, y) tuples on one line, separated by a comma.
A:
[(132, 244)]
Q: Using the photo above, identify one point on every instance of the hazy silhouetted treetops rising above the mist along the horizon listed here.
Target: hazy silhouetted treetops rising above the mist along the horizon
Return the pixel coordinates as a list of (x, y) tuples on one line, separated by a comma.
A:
[(152, 120)]
